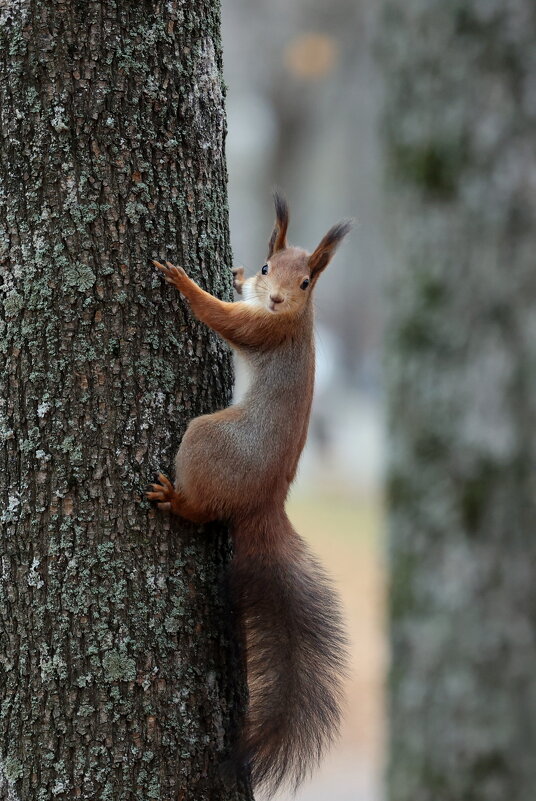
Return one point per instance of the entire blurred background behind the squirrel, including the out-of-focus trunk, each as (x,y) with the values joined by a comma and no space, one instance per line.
(418,119)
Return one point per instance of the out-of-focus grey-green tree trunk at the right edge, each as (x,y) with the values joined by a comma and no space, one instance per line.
(461,356)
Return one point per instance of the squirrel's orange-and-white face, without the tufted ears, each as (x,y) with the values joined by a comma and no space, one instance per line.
(283,284)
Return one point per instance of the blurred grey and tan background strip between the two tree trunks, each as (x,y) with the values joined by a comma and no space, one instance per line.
(302,104)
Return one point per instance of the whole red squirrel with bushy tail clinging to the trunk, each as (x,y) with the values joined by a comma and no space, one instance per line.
(237,465)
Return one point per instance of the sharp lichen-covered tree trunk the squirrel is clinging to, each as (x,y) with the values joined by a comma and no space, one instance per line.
(118,679)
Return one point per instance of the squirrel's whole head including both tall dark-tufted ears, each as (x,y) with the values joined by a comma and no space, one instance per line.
(284,284)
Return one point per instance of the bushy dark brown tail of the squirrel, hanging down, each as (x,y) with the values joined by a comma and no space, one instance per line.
(295,652)
